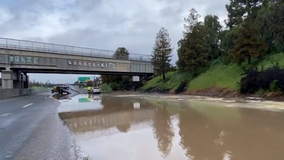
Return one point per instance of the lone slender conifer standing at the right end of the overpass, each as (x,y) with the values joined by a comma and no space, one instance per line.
(162,53)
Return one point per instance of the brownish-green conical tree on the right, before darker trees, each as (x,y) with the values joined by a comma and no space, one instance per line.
(248,44)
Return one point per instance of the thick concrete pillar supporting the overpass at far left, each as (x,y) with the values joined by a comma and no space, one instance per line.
(9,79)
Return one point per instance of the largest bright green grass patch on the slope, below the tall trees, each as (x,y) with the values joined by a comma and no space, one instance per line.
(223,76)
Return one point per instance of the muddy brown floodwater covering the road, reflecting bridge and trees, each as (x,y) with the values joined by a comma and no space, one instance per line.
(172,128)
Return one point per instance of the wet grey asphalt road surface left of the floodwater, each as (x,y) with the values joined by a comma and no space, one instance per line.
(31,129)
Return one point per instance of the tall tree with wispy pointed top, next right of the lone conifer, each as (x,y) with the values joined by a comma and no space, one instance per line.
(192,52)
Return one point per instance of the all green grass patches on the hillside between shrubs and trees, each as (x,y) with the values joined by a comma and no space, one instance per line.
(219,75)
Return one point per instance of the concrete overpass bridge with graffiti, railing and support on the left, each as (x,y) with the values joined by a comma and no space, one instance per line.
(19,57)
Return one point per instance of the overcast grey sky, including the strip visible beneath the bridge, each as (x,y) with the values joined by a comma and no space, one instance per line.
(103,24)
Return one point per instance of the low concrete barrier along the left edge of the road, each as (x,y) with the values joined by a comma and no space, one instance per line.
(10,93)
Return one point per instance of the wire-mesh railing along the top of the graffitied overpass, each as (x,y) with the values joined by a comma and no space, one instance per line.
(17,44)
